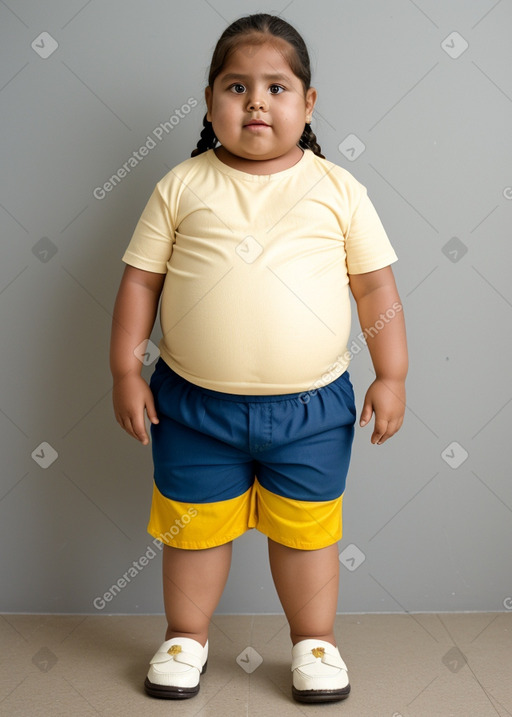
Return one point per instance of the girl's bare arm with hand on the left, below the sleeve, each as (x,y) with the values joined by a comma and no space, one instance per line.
(134,316)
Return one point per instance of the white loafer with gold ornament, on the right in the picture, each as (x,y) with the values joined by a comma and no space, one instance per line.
(319,673)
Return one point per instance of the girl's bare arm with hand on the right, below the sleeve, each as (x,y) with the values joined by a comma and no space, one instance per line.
(382,321)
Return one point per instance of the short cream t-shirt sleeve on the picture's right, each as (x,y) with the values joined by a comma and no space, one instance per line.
(367,245)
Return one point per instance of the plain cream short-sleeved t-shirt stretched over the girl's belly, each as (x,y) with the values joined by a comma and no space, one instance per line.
(256,295)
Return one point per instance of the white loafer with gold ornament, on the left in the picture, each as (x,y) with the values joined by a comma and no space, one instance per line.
(175,669)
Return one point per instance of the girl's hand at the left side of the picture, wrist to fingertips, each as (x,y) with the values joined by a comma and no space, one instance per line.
(131,395)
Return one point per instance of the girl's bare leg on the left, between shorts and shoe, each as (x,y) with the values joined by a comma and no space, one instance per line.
(193,584)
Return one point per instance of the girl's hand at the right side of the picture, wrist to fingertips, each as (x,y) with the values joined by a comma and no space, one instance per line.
(385,397)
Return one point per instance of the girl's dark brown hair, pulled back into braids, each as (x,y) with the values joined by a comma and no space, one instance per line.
(257,29)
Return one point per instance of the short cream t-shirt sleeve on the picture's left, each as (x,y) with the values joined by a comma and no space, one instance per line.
(150,247)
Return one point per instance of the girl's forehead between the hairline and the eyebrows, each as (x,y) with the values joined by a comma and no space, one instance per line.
(251,59)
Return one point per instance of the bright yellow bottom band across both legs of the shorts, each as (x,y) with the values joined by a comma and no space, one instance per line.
(304,525)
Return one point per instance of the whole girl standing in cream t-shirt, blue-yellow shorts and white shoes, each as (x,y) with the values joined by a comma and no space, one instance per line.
(253,244)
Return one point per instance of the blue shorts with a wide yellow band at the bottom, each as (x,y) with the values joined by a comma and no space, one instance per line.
(225,463)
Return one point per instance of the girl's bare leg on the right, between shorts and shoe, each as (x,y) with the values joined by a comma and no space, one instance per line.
(307,584)
